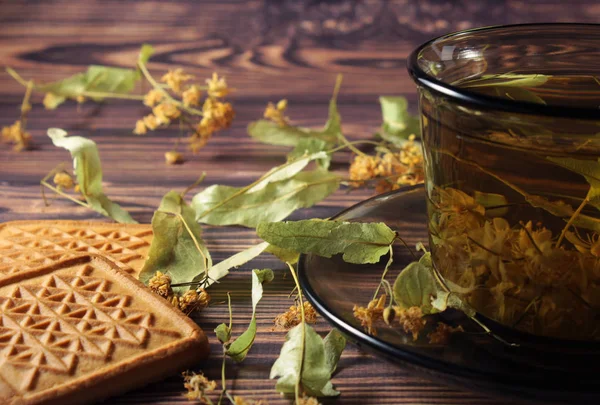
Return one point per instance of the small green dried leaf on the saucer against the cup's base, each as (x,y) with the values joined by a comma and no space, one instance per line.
(416,285)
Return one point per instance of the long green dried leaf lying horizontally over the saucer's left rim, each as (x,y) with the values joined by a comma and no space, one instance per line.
(358,242)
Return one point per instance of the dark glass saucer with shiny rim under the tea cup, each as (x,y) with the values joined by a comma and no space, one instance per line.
(558,373)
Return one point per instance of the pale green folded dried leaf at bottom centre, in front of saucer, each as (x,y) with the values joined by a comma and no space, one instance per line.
(310,359)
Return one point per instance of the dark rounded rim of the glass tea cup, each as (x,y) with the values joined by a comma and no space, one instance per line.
(490,102)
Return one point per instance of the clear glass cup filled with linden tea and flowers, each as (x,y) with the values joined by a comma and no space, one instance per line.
(510,120)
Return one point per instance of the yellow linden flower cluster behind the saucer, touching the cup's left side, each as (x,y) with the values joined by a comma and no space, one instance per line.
(391,169)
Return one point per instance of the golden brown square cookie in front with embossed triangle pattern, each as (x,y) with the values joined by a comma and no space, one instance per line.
(81,330)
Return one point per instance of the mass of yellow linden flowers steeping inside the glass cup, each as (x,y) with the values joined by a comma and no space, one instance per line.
(523,276)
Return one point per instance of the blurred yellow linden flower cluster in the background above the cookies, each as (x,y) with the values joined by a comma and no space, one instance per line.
(178,99)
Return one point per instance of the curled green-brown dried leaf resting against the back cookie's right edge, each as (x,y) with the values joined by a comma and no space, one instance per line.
(173,250)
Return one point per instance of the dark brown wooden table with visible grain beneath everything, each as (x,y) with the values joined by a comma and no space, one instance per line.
(268,50)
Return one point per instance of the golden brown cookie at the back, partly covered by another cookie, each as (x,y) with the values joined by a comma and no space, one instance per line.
(29,244)
